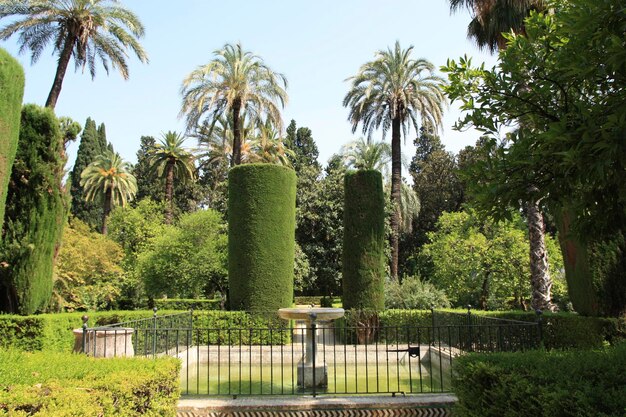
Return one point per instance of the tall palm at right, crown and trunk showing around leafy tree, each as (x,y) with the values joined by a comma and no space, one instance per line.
(492,18)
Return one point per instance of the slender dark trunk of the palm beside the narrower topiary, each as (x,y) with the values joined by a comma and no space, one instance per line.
(396,184)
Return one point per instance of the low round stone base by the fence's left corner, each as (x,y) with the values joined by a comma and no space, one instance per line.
(114,342)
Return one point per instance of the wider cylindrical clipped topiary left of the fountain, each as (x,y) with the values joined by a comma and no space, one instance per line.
(261,236)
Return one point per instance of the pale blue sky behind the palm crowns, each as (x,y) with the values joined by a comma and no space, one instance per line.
(315,44)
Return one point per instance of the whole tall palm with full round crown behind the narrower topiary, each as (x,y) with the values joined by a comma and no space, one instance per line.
(395,91)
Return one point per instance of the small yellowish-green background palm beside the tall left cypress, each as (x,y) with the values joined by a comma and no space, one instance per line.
(108,178)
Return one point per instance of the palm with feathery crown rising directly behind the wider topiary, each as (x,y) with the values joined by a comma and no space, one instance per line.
(235,81)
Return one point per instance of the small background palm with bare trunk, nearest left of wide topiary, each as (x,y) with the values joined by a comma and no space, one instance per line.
(170,160)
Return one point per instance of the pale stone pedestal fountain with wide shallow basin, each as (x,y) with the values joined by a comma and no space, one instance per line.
(312,372)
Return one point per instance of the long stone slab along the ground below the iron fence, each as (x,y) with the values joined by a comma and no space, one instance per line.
(324,406)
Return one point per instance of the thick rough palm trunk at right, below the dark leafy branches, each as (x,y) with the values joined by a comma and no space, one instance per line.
(541,282)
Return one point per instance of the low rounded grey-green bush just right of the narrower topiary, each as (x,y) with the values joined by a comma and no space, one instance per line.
(413,293)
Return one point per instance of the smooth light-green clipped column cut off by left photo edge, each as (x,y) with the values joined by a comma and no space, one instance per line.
(11,92)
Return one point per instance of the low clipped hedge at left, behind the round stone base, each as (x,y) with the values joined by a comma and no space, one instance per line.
(53,332)
